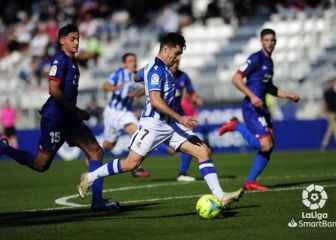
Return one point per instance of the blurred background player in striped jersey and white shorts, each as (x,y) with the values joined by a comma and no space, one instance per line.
(118,115)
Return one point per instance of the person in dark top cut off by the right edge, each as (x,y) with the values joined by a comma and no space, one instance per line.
(329,97)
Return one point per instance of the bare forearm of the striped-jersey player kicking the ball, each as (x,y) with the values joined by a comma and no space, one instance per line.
(159,104)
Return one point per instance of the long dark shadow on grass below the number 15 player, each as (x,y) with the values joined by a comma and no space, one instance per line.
(44,217)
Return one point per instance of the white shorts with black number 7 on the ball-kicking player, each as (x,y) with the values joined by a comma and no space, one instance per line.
(152,132)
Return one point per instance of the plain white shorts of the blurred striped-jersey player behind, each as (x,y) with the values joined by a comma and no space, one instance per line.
(115,121)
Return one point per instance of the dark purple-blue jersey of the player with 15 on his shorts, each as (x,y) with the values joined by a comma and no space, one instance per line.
(65,70)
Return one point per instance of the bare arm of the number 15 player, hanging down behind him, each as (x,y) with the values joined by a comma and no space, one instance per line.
(55,91)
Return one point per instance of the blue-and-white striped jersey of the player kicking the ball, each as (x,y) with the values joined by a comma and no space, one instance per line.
(158,77)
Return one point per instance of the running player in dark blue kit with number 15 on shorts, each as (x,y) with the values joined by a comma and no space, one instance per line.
(62,120)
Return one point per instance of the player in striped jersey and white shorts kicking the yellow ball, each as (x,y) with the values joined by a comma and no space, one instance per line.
(160,123)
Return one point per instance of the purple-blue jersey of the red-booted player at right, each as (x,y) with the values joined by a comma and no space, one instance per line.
(258,71)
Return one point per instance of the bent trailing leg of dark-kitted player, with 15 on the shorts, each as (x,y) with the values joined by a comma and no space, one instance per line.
(50,140)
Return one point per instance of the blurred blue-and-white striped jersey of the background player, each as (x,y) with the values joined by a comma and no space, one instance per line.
(120,99)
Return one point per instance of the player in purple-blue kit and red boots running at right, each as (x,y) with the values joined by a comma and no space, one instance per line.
(258,71)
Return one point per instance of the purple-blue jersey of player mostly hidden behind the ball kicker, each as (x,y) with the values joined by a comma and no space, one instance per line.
(182,82)
